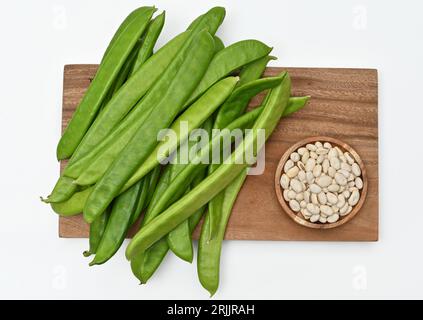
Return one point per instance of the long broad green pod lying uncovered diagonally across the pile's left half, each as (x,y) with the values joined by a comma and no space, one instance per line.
(195,61)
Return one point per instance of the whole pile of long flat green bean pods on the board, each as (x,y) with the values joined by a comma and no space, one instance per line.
(142,143)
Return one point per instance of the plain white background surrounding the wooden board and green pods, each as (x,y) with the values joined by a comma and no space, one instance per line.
(39,37)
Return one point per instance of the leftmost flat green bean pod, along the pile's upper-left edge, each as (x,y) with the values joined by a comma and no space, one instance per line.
(104,78)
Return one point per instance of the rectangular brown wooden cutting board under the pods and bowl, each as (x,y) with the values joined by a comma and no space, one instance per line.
(343,105)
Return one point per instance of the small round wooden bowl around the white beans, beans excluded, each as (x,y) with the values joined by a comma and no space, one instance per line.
(297,217)
